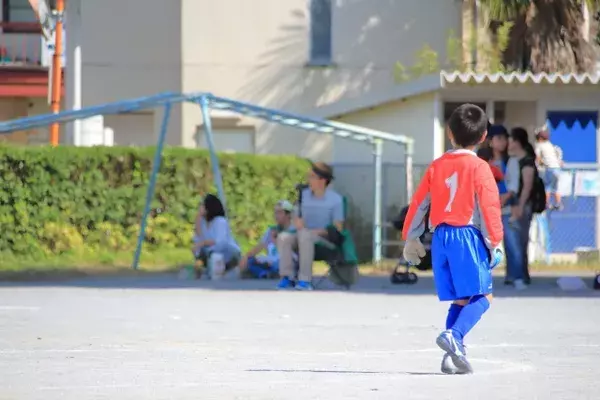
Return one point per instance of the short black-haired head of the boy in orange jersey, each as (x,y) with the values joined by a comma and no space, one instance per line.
(468,123)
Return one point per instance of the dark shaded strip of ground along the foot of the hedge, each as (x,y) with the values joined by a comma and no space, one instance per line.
(543,285)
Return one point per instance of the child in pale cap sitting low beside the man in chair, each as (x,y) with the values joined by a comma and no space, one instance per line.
(263,267)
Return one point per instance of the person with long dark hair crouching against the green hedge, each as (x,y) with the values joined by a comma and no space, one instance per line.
(213,233)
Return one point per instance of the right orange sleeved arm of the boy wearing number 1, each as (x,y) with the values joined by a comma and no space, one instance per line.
(486,192)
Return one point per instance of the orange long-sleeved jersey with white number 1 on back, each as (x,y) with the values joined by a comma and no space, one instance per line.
(458,189)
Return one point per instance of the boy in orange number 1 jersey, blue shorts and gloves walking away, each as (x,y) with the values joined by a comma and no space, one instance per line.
(461,194)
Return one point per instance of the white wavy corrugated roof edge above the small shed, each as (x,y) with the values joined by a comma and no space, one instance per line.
(518,78)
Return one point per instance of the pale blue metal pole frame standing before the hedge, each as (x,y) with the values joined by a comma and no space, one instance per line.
(208,102)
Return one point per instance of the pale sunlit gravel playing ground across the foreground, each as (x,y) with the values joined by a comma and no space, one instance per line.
(154,337)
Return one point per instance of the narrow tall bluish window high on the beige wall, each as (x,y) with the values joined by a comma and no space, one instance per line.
(320,32)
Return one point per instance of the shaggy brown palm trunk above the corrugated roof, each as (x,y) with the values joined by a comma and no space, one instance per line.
(547,35)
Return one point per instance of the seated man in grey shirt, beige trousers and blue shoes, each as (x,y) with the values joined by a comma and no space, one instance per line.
(320,207)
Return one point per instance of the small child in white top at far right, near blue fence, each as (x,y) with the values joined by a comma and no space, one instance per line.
(549,161)
